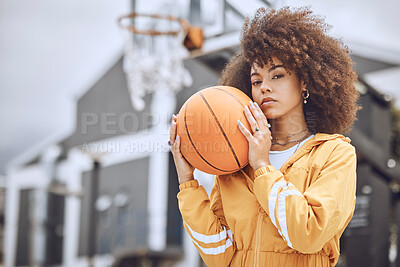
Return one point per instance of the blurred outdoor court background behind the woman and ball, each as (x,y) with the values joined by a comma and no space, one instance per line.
(86,176)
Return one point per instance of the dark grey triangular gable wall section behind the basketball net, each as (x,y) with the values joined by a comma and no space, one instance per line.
(106,111)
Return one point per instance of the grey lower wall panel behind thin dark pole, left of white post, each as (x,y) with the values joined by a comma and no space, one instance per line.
(124,227)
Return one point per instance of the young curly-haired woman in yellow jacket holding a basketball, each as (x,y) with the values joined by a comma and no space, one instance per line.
(291,204)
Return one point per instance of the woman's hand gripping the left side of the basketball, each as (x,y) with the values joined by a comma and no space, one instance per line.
(183,168)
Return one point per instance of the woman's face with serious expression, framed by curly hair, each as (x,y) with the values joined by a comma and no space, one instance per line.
(277,92)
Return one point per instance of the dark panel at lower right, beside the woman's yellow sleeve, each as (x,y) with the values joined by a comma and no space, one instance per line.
(366,240)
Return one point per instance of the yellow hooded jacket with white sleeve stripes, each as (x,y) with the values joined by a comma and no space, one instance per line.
(291,217)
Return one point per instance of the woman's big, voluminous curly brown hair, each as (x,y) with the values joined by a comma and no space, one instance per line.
(299,39)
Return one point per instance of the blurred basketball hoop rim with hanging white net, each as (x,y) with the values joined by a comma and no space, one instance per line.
(153,55)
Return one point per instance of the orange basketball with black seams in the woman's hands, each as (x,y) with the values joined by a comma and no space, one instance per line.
(207,126)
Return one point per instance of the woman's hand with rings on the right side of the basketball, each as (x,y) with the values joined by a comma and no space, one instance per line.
(259,141)
